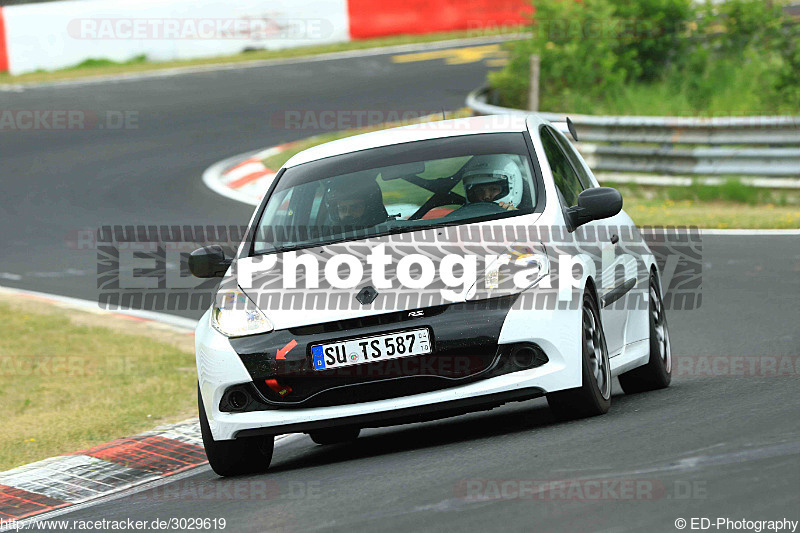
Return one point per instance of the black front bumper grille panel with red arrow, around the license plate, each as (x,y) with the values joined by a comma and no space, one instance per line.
(464,348)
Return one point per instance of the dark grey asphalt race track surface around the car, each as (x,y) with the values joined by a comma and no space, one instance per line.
(709,446)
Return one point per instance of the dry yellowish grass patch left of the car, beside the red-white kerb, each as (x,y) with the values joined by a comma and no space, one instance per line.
(65,387)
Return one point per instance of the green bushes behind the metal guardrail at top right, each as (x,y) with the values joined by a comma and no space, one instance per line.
(657,57)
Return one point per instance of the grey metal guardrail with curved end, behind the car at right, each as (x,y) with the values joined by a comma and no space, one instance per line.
(777,141)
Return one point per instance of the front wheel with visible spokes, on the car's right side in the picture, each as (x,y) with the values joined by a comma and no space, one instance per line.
(593,397)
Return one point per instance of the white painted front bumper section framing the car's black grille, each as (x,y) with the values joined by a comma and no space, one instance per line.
(220,367)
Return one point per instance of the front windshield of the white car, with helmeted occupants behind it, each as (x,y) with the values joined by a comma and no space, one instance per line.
(398,188)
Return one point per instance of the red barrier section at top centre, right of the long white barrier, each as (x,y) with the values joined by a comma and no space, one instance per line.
(369,18)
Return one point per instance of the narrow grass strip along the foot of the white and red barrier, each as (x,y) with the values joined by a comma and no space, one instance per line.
(104,67)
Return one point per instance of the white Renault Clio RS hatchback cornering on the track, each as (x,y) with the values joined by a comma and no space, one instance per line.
(424,272)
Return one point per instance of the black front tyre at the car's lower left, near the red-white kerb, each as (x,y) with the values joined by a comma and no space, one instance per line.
(236,457)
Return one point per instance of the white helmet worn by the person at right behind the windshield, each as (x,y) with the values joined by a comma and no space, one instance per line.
(496,168)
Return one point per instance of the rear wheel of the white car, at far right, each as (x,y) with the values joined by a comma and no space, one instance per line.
(657,373)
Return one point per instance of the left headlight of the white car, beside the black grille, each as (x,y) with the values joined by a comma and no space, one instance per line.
(235,315)
